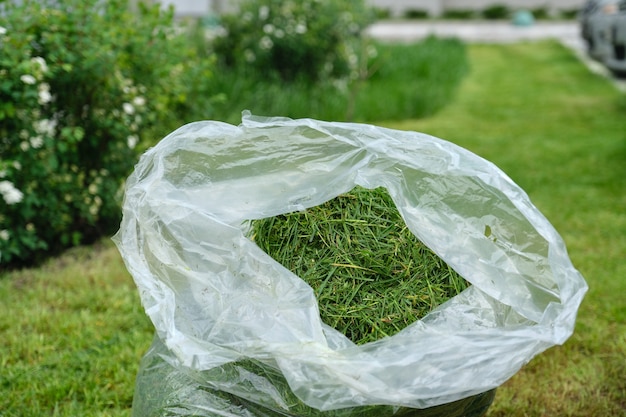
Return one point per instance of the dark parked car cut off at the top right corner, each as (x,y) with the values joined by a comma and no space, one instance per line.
(603,27)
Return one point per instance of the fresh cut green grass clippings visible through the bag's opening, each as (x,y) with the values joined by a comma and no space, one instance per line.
(372,277)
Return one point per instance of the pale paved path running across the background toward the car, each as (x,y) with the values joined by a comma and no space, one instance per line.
(490,32)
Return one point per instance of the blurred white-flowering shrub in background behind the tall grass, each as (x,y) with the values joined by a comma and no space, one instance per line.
(309,40)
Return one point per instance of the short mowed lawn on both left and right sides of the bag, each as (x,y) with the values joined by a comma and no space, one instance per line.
(72,332)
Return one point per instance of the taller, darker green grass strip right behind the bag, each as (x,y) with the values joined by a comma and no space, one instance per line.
(420,77)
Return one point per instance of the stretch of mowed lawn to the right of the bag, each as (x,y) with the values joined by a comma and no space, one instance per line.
(559,131)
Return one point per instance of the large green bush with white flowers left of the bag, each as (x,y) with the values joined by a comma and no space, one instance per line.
(81,82)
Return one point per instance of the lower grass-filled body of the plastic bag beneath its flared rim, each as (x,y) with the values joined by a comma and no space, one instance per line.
(257,390)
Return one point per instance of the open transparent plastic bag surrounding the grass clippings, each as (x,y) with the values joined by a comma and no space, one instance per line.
(247,331)
